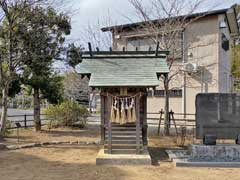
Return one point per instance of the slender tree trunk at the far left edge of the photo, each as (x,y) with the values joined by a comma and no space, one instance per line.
(4,110)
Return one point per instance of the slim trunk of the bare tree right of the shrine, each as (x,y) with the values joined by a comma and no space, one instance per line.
(166,107)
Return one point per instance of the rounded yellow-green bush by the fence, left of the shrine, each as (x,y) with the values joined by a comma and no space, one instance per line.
(67,113)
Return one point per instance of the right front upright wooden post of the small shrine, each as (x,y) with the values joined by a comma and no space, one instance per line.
(138,124)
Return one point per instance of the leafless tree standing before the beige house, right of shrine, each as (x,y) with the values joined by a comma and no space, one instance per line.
(172,18)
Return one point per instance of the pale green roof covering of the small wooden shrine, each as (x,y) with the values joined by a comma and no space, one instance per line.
(133,72)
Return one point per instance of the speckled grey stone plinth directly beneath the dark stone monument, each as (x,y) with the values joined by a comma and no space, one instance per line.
(219,151)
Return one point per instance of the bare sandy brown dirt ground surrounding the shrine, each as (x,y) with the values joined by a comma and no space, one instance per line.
(72,162)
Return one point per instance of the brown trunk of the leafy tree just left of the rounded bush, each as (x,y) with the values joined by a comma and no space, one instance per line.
(36,111)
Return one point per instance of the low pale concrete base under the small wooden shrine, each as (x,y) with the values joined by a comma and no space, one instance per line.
(123,159)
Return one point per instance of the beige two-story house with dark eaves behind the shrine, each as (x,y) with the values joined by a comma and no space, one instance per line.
(204,64)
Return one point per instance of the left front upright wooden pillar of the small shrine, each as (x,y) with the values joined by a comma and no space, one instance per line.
(109,102)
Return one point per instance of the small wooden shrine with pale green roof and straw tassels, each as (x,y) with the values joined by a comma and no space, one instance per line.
(123,79)
